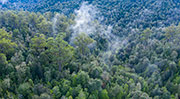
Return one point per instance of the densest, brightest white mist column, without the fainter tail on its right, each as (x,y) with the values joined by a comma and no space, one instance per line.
(84,20)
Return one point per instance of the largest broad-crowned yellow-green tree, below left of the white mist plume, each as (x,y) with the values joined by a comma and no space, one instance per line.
(62,52)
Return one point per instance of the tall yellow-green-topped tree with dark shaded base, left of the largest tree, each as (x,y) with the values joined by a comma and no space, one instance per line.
(37,47)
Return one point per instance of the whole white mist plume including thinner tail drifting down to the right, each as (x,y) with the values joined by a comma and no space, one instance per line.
(88,21)
